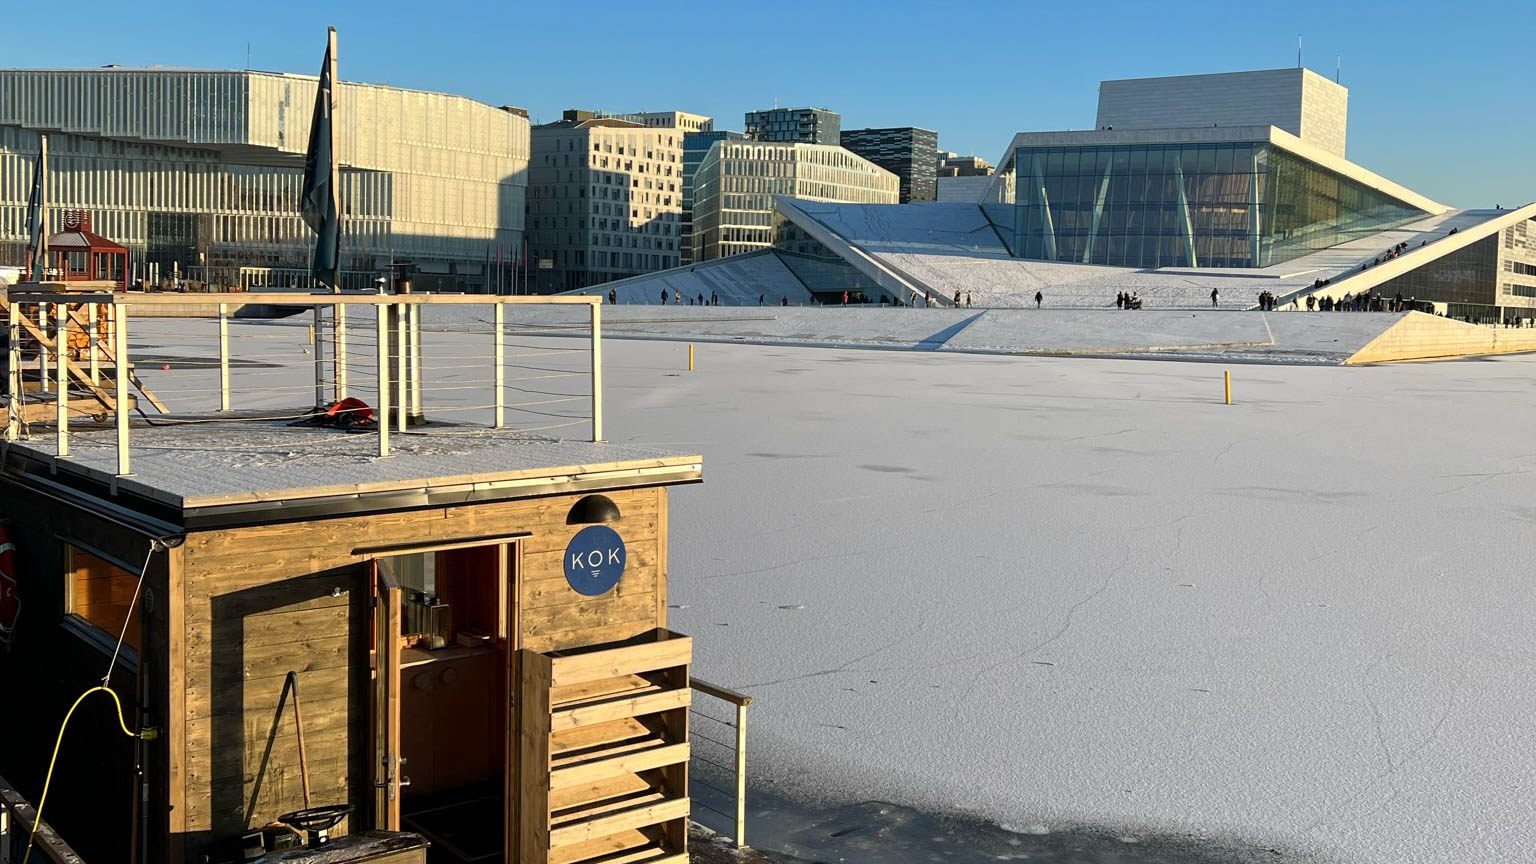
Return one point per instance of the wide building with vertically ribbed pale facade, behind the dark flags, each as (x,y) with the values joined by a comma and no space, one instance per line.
(200,171)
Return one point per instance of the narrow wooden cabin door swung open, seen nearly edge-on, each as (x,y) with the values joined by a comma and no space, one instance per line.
(386,703)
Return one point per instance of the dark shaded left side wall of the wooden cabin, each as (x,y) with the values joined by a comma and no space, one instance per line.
(53,662)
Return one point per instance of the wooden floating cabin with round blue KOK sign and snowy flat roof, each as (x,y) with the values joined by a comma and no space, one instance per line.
(471,634)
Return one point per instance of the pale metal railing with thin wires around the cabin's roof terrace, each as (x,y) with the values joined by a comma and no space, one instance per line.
(196,359)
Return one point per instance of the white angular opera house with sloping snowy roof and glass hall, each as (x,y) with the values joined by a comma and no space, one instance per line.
(1214,213)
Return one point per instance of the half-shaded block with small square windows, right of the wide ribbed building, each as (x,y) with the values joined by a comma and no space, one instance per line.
(604,202)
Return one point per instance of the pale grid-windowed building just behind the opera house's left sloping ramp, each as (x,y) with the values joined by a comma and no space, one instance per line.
(738,181)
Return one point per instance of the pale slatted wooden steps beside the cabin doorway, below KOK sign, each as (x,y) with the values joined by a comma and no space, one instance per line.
(604,769)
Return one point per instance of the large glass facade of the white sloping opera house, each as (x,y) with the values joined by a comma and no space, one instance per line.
(1211,205)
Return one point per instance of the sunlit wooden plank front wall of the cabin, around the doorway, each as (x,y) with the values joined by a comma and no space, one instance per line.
(259,603)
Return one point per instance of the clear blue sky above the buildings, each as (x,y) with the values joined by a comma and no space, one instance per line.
(1440,93)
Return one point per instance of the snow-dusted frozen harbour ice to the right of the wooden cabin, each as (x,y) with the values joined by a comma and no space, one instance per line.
(1058,593)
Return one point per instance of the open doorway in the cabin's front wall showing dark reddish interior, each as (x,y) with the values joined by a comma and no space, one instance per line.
(443,702)
